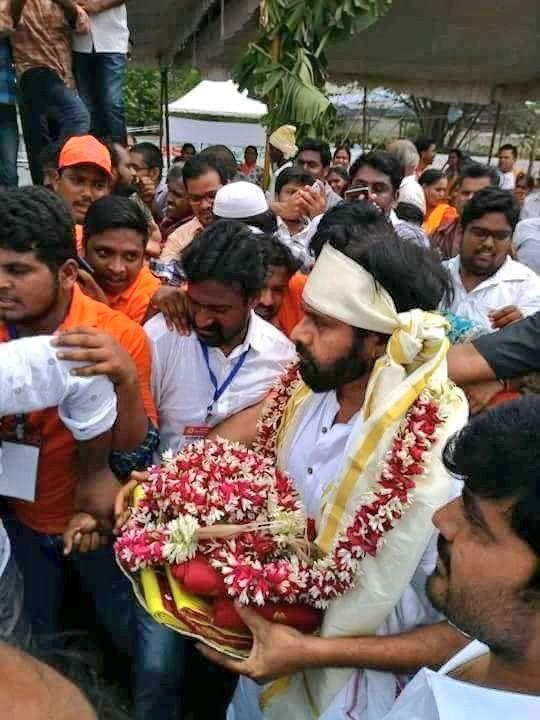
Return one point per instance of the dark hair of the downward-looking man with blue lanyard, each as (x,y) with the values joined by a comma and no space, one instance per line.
(229,253)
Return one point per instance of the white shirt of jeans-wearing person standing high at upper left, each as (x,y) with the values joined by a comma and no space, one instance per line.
(108,33)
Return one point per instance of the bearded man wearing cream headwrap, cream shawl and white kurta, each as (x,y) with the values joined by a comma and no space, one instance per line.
(370,357)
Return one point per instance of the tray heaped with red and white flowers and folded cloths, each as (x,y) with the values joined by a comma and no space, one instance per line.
(216,522)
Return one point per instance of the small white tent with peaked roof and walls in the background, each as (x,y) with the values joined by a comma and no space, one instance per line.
(217,113)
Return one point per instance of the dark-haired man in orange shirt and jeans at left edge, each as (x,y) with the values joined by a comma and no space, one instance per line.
(39,295)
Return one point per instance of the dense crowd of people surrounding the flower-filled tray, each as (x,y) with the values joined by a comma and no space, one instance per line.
(139,313)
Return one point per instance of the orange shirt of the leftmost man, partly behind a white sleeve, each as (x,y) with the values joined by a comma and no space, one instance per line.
(57,470)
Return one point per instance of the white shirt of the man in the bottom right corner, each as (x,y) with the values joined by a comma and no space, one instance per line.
(435,696)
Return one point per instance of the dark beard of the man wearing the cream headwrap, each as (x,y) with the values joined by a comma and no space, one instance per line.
(348,368)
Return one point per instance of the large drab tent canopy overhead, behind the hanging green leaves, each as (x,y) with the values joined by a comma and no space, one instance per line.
(456,50)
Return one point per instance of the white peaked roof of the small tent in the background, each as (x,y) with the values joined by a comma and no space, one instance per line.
(218,99)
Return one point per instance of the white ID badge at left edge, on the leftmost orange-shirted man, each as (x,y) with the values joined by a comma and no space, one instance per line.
(19,467)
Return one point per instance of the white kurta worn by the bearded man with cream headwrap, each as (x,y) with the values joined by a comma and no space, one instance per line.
(320,447)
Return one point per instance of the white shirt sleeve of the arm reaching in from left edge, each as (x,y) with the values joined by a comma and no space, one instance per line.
(32,378)
